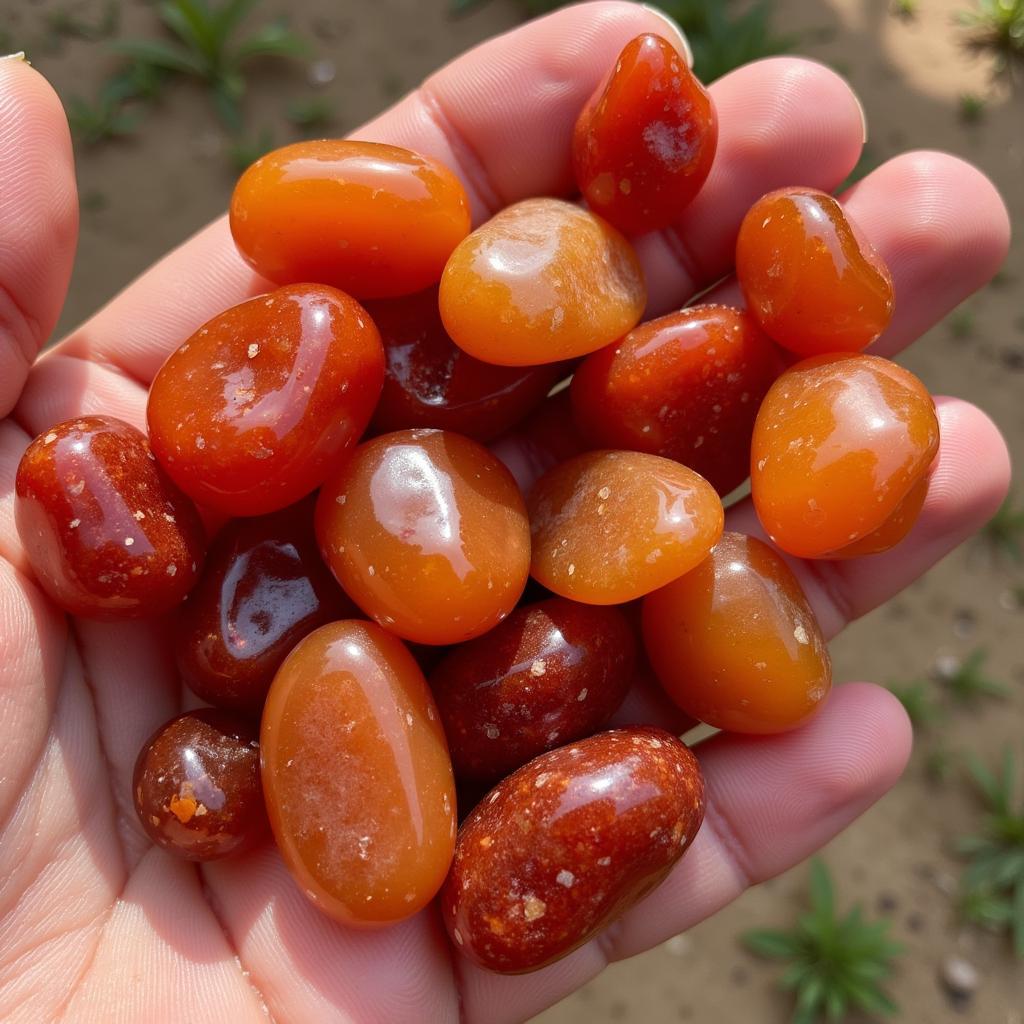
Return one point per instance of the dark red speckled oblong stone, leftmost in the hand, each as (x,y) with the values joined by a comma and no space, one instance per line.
(108,535)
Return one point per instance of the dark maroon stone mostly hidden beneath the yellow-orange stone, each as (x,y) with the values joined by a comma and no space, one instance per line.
(431,382)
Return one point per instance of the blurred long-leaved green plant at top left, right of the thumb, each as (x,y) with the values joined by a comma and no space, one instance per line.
(209,48)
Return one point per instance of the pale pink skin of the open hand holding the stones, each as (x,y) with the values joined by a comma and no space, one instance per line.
(142,937)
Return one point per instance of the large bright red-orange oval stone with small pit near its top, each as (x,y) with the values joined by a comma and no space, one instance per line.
(259,406)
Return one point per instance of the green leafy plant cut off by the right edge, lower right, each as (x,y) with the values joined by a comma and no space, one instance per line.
(993,884)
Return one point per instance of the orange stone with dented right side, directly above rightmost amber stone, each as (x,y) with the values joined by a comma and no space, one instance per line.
(810,279)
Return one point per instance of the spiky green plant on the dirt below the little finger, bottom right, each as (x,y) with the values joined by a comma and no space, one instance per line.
(837,964)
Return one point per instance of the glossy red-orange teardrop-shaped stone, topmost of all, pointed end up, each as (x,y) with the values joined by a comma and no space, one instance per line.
(645,144)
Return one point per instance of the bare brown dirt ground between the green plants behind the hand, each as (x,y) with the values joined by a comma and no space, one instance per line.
(144,196)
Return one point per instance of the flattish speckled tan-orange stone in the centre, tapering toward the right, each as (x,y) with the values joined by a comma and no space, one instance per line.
(611,527)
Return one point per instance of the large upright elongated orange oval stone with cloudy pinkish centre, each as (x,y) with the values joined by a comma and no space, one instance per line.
(357,775)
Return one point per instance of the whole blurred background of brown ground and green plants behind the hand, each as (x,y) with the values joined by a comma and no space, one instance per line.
(169,102)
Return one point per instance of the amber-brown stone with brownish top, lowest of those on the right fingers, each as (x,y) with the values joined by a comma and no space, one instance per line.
(736,644)
